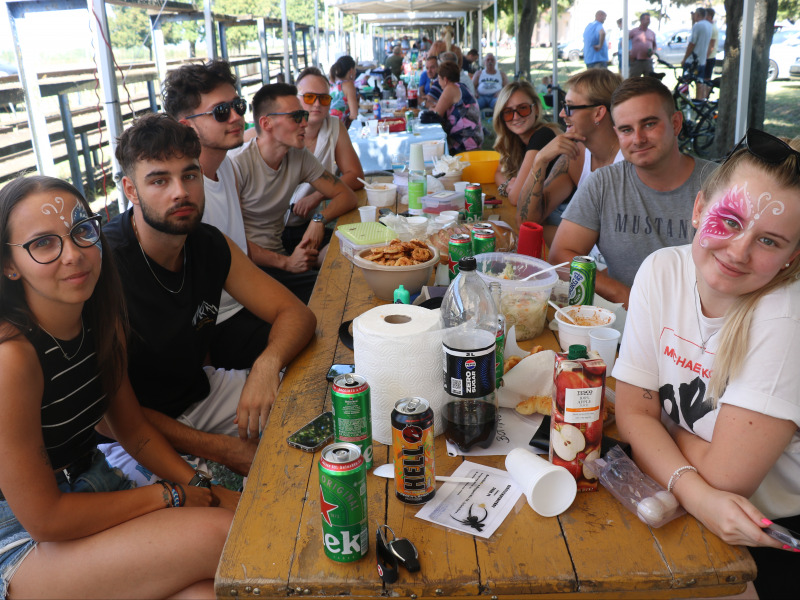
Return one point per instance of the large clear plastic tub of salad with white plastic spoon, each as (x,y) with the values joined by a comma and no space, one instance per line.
(523,303)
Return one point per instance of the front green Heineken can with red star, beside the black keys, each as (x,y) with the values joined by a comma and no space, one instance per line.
(343,502)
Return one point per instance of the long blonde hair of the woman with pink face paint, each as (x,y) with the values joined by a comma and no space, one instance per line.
(736,328)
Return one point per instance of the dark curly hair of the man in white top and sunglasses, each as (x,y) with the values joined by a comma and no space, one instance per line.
(183,86)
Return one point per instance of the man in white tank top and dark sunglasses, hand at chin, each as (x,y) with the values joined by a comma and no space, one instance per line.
(588,144)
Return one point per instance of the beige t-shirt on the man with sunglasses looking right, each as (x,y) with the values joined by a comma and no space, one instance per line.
(265,192)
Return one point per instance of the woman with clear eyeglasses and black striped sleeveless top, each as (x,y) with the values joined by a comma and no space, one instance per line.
(69,525)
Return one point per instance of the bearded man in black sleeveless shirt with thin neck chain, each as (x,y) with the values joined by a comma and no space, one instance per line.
(173,270)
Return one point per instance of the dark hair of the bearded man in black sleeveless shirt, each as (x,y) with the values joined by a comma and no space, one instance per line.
(155,136)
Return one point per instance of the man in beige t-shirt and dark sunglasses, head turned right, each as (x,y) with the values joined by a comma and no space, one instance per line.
(269,168)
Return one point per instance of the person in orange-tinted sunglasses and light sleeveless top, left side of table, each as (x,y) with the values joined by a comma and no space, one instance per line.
(327,139)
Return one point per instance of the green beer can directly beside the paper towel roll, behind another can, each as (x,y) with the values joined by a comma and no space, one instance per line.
(352,420)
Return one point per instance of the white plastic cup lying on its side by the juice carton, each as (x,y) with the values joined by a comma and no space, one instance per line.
(549,489)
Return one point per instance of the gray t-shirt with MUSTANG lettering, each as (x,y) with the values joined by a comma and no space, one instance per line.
(633,220)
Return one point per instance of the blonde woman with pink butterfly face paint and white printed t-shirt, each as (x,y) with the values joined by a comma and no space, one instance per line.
(708,377)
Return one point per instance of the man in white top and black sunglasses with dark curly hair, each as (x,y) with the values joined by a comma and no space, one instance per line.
(204,97)
